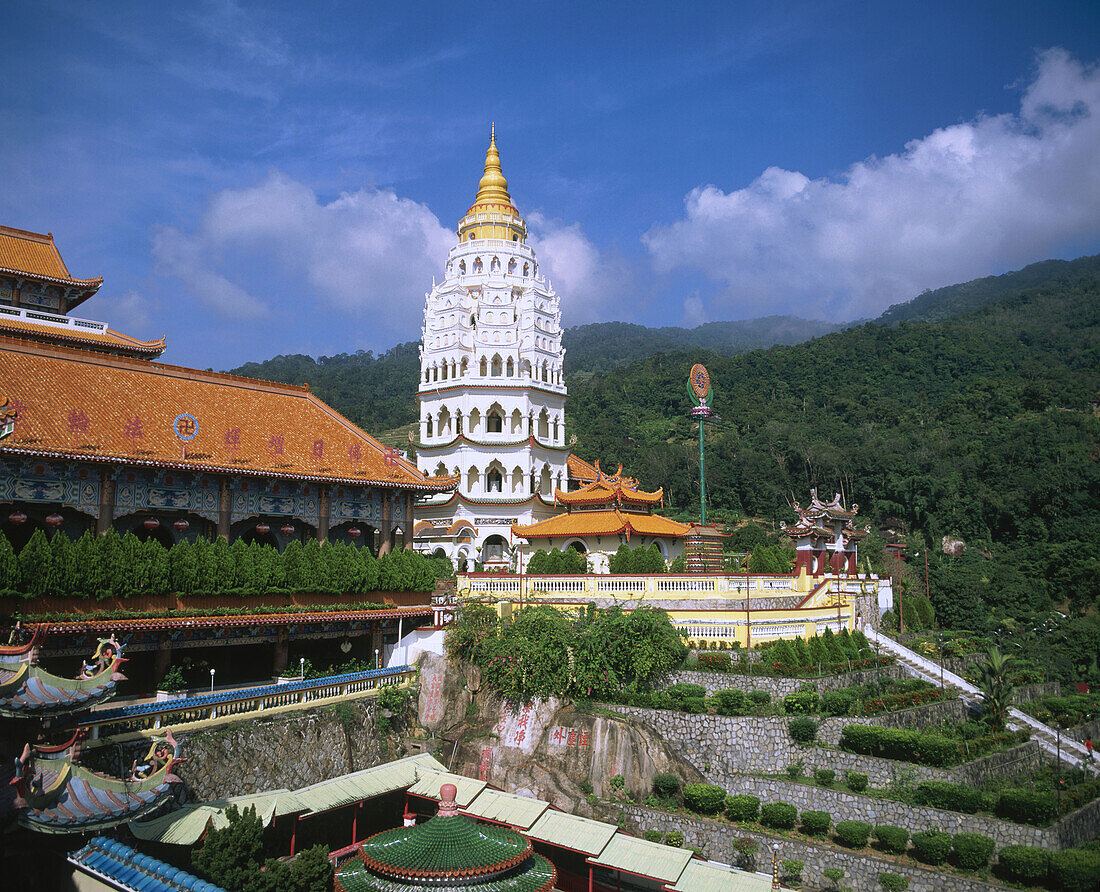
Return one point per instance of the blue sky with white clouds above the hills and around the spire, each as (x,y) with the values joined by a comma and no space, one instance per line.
(263,179)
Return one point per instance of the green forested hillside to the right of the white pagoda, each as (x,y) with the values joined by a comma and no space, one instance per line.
(983,427)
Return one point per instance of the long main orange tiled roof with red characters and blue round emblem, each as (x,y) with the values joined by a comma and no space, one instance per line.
(81,404)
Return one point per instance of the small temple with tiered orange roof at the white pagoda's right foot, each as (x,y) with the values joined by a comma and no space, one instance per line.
(607,512)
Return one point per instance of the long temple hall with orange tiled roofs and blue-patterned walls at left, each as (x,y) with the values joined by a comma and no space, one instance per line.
(98,437)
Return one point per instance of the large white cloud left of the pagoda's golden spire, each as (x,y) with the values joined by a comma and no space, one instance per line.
(367,254)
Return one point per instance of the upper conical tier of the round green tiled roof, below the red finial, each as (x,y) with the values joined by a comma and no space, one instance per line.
(445,845)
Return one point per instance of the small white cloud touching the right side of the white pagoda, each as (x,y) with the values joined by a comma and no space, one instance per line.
(593,285)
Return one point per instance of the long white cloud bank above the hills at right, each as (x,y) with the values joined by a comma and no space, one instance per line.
(964,202)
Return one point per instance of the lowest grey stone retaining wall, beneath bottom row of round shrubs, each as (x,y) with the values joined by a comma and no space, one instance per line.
(862,869)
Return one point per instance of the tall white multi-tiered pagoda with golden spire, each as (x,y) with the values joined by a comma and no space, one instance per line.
(492,394)
